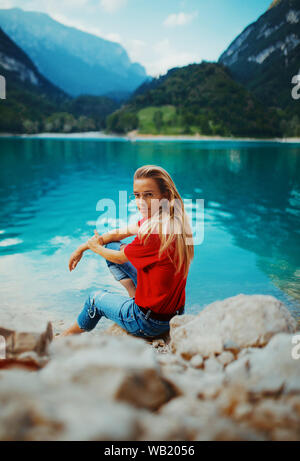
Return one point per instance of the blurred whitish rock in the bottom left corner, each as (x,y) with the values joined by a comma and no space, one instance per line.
(30,410)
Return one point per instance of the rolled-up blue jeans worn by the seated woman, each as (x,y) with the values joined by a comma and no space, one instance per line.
(121,309)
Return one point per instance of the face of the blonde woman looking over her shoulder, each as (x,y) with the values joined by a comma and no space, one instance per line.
(144,190)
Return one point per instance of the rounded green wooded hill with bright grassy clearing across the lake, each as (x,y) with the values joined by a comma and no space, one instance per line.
(201,98)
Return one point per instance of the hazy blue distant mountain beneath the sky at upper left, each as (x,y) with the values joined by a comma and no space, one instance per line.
(75,61)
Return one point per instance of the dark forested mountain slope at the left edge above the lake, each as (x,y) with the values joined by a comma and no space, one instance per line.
(34,104)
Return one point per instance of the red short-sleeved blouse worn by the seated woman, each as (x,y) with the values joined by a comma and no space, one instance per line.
(158,288)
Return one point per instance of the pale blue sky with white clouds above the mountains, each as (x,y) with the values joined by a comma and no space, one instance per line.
(158,34)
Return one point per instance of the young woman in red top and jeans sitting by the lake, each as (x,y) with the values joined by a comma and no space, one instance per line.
(153,267)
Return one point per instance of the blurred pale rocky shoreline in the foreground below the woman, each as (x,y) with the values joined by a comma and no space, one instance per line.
(230,372)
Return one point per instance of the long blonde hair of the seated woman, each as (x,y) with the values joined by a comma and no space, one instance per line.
(171,225)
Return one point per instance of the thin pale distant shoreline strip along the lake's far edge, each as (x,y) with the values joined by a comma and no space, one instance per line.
(133,136)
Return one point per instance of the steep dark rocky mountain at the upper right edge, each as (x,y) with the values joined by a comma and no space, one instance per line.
(266,55)
